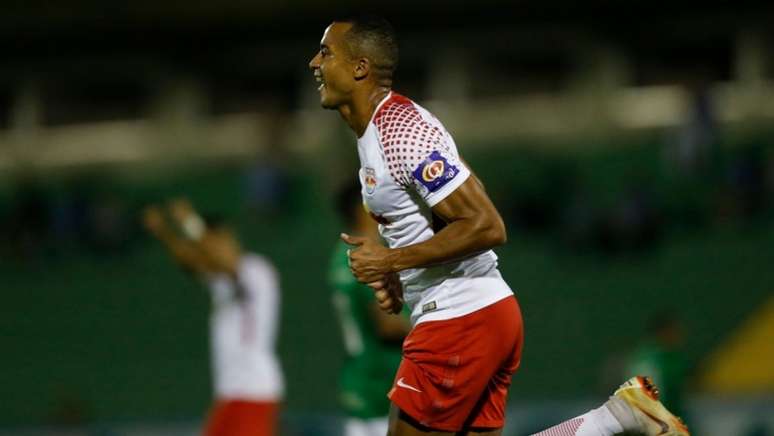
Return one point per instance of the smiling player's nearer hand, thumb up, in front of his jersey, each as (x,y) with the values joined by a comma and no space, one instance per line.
(369,260)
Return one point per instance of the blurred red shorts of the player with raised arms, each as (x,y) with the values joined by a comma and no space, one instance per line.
(242,418)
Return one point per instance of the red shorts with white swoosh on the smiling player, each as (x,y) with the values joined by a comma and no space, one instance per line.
(455,373)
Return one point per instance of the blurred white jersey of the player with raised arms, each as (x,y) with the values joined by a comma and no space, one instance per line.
(243,330)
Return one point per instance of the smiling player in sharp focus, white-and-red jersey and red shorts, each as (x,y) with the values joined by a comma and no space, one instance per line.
(467,332)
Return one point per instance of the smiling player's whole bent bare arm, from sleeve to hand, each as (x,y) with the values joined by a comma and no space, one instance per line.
(473,226)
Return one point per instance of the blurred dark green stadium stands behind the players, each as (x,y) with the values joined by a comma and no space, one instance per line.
(629,146)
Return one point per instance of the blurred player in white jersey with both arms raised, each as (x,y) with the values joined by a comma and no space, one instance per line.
(243,325)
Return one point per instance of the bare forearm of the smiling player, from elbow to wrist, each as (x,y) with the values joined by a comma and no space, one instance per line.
(458,240)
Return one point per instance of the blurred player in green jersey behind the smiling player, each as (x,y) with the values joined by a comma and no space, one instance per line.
(372,337)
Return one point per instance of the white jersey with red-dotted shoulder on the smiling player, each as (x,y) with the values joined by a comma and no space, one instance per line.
(408,164)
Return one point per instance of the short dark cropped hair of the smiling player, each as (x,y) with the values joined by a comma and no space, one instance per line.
(373,37)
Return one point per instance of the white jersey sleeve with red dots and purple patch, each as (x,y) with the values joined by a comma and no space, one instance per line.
(419,154)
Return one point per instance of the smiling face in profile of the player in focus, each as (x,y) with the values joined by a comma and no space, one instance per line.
(333,68)
